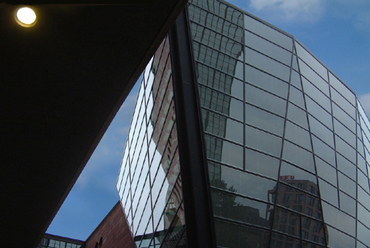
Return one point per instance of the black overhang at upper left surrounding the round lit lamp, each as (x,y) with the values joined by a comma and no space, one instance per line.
(62,82)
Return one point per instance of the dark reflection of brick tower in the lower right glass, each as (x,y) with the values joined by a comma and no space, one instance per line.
(305,221)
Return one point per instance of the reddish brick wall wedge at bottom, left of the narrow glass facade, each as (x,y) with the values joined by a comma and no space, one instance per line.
(113,230)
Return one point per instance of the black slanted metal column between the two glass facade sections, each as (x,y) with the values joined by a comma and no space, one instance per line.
(194,170)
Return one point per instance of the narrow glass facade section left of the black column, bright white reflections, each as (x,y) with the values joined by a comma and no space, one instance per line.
(149,182)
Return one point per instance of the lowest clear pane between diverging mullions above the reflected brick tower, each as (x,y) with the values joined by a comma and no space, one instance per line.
(298,156)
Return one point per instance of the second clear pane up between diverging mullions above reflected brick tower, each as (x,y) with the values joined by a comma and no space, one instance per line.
(297,135)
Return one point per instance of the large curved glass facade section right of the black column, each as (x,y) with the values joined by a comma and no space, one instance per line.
(287,142)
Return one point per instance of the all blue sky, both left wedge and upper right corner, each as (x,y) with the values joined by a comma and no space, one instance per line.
(337,32)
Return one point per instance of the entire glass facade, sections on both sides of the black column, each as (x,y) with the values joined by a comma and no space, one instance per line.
(286,141)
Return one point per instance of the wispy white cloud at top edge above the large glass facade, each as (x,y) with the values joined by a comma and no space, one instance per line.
(291,10)
